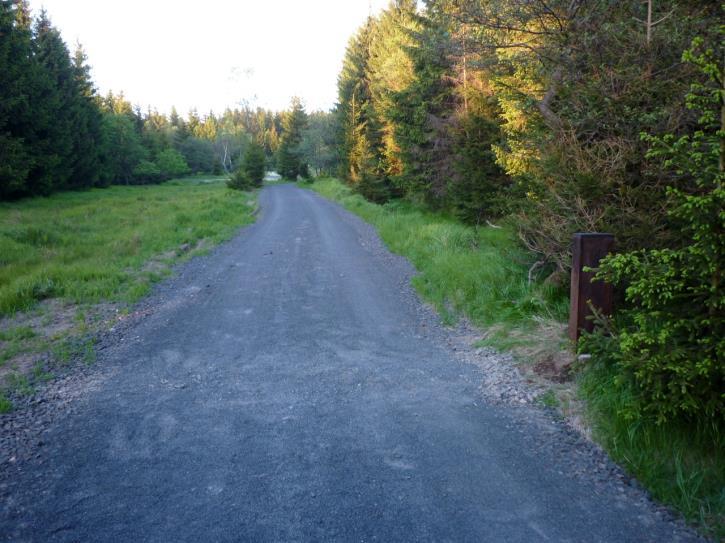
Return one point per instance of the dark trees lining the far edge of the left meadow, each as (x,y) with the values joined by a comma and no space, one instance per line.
(57,133)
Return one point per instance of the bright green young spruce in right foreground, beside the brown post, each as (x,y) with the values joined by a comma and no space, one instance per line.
(671,336)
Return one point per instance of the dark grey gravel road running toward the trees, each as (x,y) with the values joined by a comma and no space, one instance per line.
(291,387)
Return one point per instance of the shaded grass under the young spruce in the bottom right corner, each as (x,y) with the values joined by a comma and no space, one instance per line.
(681,464)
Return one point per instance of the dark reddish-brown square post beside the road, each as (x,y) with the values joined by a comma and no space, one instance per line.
(588,250)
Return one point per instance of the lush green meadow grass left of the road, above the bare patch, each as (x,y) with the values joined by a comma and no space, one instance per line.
(85,247)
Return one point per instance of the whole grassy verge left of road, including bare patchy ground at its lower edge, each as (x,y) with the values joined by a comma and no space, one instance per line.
(69,260)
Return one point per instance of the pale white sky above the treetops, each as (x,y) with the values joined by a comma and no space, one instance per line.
(211,54)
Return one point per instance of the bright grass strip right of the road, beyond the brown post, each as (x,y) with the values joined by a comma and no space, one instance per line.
(477,272)
